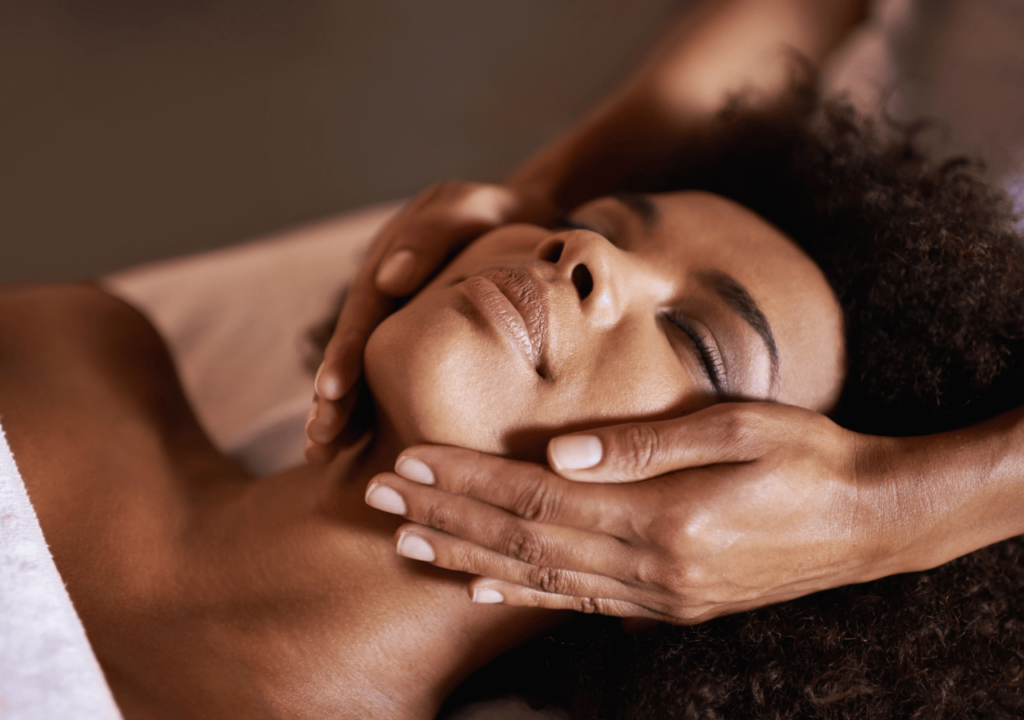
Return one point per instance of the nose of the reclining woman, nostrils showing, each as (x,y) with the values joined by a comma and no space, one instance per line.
(588,263)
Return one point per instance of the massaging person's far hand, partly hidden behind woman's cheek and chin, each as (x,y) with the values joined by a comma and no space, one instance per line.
(406,253)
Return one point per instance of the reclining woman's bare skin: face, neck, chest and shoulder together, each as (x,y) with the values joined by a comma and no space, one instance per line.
(281,597)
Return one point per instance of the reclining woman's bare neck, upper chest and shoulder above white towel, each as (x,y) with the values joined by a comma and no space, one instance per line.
(207,594)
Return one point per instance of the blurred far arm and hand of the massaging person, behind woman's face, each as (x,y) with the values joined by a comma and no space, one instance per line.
(713,51)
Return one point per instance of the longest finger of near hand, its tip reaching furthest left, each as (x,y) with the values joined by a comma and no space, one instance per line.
(478,527)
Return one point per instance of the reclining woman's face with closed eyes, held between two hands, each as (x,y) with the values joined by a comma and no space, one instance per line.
(649,308)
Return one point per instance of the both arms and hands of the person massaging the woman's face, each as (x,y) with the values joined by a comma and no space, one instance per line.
(903,504)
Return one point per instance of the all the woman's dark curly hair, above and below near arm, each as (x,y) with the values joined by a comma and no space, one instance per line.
(930,275)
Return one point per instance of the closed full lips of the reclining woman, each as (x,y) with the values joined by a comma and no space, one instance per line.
(517,305)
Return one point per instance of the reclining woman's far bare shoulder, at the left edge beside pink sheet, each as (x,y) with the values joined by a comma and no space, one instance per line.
(90,398)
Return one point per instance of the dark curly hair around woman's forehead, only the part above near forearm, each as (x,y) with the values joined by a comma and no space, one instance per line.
(923,259)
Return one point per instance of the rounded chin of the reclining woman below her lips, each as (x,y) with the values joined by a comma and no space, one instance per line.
(435,383)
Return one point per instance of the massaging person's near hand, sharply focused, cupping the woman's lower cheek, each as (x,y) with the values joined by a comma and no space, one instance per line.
(740,506)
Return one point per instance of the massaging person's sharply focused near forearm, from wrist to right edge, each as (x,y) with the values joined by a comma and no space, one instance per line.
(950,495)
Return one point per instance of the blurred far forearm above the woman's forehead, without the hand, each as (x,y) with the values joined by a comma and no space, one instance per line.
(712,52)
